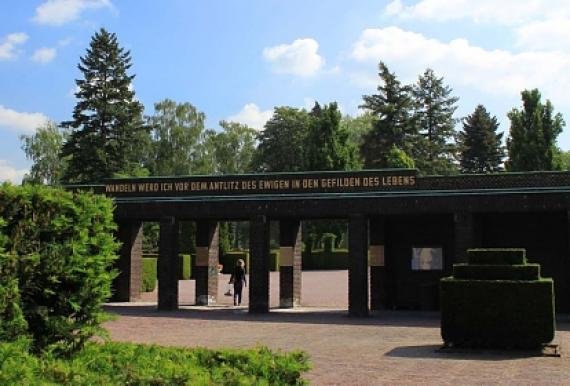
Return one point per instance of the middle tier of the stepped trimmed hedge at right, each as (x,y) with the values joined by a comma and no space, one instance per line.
(497,272)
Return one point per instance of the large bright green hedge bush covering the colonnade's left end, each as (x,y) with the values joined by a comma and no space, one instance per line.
(61,250)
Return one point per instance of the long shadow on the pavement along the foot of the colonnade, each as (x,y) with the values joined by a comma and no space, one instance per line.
(303,315)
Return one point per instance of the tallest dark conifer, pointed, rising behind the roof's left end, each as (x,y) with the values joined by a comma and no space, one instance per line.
(108,133)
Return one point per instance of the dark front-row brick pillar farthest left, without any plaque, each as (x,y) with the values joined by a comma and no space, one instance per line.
(168,265)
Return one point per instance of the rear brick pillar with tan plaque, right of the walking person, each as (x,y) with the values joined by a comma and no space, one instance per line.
(289,263)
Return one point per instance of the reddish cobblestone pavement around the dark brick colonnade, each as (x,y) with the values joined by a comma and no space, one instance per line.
(387,348)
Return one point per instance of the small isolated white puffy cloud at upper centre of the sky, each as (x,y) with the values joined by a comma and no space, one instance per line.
(298,58)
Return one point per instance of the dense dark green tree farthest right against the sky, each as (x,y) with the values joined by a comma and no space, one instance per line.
(534,129)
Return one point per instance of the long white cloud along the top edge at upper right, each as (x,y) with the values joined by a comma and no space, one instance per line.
(505,12)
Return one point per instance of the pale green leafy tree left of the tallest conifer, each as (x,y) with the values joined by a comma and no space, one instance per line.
(43,149)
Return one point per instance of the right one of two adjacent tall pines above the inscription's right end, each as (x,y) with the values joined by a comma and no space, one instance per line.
(435,150)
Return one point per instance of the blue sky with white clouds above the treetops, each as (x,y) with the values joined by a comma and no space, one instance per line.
(237,60)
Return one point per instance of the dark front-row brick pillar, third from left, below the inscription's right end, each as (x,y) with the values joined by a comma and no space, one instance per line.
(358,265)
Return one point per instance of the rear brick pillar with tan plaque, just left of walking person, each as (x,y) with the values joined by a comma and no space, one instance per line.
(207,258)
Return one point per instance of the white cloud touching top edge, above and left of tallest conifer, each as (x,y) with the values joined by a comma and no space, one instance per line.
(59,12)
